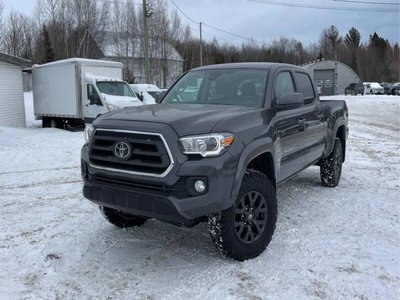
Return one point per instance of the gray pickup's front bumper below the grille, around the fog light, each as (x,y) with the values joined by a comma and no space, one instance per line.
(168,198)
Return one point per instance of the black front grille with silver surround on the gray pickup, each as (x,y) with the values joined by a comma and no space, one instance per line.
(150,153)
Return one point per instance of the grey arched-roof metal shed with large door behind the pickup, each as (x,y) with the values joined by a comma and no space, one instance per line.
(330,76)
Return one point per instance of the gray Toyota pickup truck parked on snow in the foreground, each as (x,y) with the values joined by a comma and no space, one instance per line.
(213,151)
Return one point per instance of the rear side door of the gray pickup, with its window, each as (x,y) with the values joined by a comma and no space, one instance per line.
(314,116)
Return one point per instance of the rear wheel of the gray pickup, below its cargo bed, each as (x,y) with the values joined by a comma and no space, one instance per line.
(331,167)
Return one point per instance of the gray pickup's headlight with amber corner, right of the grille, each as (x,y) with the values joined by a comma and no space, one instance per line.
(206,145)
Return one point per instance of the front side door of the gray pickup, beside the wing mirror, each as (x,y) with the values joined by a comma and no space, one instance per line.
(290,129)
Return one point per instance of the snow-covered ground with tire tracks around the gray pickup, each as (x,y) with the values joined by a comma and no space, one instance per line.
(340,243)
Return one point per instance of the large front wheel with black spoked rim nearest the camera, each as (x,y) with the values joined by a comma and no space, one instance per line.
(244,230)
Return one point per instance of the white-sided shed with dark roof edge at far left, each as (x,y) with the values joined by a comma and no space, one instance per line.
(12,108)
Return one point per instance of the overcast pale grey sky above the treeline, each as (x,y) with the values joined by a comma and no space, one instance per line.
(264,22)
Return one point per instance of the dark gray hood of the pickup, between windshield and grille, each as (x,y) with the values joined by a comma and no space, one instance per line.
(185,119)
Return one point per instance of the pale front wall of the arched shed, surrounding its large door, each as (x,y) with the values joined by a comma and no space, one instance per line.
(343,74)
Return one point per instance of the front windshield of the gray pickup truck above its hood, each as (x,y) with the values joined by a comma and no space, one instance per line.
(224,87)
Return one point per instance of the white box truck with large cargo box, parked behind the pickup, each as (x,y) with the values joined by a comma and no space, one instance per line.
(75,91)
